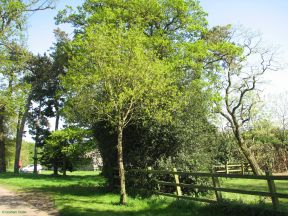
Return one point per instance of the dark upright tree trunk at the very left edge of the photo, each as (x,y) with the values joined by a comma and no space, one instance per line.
(2,142)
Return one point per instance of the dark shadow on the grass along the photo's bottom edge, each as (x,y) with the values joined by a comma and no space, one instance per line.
(179,208)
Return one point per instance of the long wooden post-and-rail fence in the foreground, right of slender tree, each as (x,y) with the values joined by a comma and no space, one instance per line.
(272,193)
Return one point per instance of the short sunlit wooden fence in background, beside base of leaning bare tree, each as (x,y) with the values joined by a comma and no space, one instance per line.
(243,168)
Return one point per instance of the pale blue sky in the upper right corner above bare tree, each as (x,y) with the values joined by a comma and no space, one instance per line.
(266,16)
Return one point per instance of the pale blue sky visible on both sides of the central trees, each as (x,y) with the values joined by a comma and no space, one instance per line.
(265,16)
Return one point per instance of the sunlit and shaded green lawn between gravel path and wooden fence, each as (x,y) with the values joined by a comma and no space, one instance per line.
(84,193)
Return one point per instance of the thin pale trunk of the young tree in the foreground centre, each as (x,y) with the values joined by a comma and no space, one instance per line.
(123,195)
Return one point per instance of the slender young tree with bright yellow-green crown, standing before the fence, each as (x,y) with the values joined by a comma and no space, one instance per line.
(118,84)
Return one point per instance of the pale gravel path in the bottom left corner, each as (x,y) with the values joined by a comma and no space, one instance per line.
(14,204)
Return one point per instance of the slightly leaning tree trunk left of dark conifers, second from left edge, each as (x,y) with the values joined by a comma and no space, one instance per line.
(19,135)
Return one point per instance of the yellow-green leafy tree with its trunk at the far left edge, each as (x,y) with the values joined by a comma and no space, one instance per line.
(11,92)
